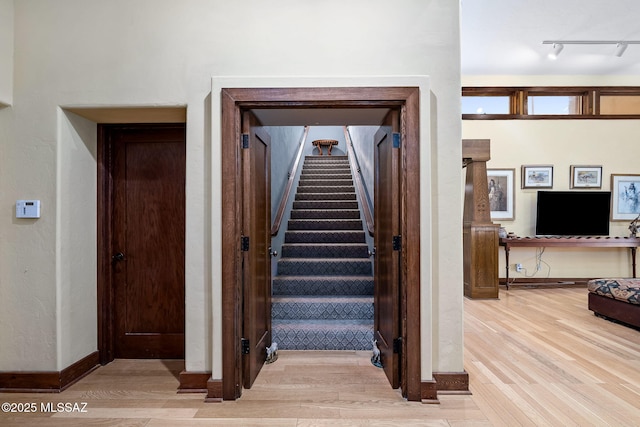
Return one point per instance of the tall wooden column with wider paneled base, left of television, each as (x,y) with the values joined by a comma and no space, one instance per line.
(479,235)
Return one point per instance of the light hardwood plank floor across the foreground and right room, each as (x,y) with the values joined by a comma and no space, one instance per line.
(535,357)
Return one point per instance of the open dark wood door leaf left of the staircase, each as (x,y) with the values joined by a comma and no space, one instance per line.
(256,235)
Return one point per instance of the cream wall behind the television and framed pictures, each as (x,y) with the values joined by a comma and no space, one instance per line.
(561,143)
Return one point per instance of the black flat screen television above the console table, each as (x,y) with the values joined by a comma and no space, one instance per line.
(573,213)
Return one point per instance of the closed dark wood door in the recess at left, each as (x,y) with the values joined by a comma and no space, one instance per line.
(148,240)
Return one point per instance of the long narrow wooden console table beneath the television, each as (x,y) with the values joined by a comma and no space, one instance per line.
(584,241)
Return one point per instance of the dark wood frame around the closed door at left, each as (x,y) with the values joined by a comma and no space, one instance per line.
(105,291)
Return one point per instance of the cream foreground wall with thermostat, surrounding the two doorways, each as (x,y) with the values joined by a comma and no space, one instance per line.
(83,53)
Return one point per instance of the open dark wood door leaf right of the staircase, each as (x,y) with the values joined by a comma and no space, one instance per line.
(387,241)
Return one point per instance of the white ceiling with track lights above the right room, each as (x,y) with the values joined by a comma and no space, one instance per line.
(502,37)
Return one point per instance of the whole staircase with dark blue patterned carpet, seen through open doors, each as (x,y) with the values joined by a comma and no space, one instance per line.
(323,290)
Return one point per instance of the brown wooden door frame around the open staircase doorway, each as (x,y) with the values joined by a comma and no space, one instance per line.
(233,103)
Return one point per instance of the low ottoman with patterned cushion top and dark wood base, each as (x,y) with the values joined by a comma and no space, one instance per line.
(616,299)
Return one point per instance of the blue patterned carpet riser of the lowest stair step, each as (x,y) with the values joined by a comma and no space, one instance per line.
(327,335)
